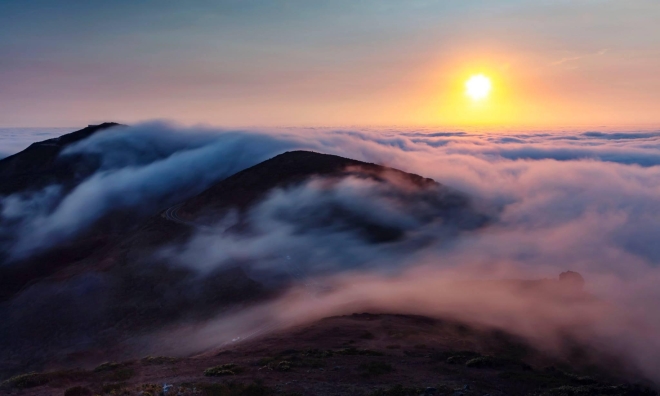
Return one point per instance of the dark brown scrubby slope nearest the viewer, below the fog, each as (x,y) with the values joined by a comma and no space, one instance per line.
(360,354)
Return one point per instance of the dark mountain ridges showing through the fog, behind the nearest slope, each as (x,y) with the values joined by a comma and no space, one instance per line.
(129,288)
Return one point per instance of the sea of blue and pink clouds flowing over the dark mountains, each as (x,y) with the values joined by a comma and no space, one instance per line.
(587,201)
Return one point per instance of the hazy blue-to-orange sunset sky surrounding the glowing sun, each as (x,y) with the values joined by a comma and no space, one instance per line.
(324,63)
